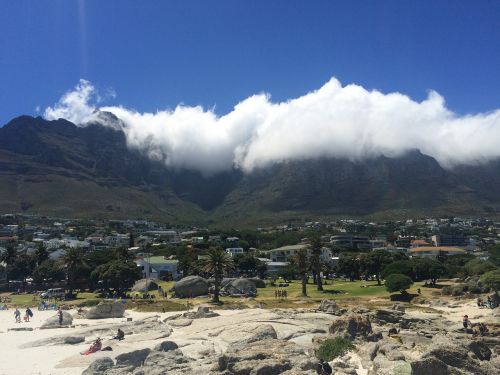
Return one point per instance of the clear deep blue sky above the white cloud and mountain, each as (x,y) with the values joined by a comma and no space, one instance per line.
(156,54)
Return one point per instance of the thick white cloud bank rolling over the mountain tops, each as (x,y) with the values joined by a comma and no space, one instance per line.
(333,121)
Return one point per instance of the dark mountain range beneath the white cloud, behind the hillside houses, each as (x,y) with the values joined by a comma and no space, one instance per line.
(58,168)
